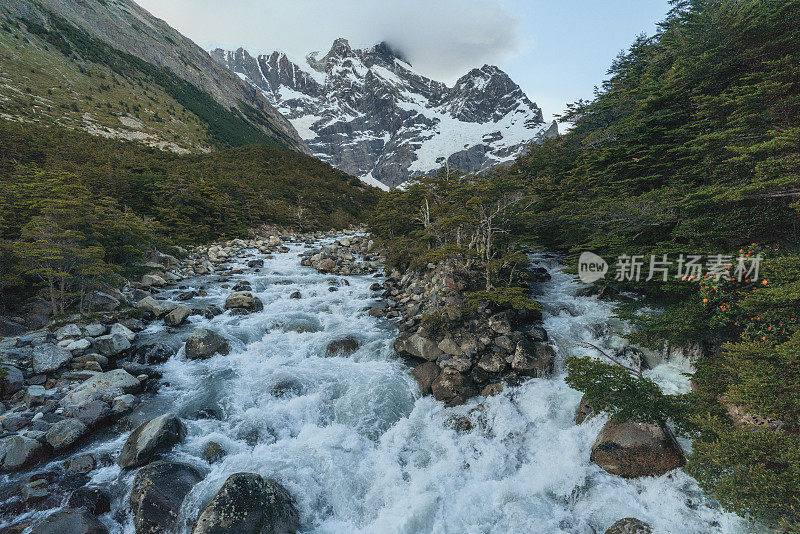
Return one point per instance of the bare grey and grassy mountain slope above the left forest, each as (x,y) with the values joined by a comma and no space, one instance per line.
(88,63)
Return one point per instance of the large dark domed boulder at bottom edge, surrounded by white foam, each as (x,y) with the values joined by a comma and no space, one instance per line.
(248,504)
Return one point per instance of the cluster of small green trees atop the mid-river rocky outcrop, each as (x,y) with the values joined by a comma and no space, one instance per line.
(476,221)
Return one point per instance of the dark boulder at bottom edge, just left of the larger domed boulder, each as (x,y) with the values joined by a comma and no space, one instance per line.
(159,490)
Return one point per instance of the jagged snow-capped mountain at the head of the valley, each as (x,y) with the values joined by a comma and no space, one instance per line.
(367,112)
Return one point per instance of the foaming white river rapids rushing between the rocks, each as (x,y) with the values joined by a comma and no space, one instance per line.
(361,451)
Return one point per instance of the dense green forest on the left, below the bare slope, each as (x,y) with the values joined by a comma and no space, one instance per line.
(77,208)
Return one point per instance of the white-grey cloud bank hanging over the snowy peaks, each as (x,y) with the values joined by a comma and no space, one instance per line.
(442,38)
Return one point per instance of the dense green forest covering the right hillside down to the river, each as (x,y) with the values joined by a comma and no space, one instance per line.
(692,146)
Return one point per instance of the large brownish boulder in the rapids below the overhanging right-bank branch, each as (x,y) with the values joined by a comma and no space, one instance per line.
(633,449)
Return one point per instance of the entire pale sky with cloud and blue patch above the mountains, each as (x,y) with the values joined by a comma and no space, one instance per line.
(557,50)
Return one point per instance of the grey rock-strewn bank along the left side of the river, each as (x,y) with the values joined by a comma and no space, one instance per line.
(66,382)
